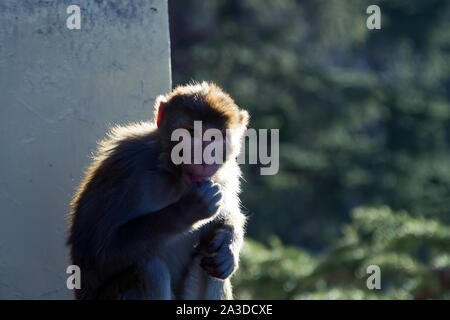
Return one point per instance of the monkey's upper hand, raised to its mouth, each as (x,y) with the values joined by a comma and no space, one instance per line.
(202,201)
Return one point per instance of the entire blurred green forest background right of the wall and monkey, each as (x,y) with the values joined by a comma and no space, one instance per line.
(364,119)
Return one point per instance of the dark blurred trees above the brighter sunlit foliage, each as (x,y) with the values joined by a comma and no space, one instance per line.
(364,115)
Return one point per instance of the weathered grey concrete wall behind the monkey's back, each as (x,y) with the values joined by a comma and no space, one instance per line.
(59,91)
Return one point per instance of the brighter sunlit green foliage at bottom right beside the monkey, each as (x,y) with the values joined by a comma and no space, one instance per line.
(412,253)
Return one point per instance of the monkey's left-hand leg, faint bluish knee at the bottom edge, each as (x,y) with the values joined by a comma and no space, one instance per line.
(157,280)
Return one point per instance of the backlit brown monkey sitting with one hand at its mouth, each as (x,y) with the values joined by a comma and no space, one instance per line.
(143,227)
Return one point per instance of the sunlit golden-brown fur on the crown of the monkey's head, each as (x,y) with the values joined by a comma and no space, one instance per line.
(201,101)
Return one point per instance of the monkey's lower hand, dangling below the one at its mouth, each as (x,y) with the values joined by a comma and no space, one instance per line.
(221,259)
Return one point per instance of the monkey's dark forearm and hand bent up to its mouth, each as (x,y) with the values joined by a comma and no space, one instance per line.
(144,235)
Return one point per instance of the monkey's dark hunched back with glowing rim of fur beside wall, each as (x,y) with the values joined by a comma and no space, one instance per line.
(99,201)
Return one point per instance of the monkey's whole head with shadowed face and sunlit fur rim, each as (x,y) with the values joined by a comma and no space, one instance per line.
(186,107)
